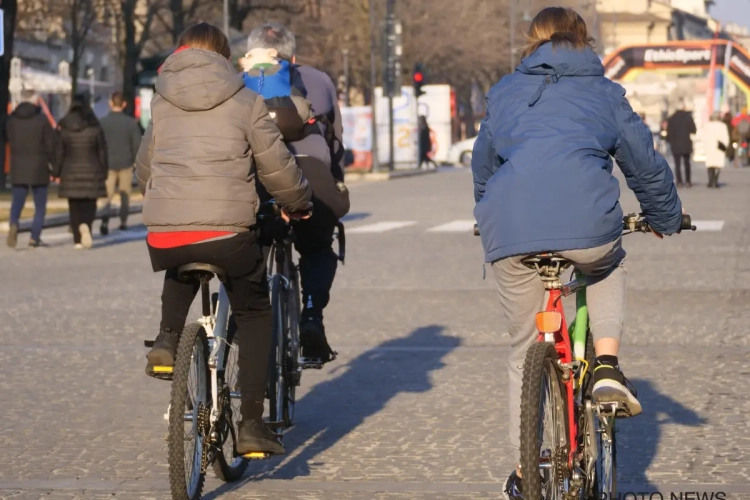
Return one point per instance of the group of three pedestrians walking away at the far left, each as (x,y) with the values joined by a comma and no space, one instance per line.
(90,159)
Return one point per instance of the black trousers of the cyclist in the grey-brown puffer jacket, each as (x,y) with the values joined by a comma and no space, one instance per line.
(241,256)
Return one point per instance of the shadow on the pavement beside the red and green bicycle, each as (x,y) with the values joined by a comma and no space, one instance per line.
(638,438)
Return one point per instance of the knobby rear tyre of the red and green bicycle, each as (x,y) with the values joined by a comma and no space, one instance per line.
(540,369)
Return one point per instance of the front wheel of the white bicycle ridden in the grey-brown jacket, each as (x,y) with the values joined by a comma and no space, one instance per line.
(225,469)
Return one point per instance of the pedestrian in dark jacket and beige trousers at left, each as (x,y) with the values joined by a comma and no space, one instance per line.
(123,137)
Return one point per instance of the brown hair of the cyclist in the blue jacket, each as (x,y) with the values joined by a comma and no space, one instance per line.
(559,25)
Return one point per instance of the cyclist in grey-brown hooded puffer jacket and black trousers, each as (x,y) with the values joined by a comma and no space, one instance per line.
(210,138)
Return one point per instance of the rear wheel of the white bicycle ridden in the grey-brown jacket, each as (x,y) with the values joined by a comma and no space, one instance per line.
(192,350)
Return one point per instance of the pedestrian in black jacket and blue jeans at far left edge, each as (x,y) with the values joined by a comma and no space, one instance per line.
(32,146)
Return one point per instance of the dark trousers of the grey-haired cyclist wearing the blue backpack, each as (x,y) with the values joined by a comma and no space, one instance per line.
(317,262)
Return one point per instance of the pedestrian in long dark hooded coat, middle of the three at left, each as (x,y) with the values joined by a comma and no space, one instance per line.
(81,164)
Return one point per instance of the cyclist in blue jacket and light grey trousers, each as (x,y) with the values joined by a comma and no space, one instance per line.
(543,182)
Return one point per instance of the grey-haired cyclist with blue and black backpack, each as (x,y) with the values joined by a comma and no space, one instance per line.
(304,104)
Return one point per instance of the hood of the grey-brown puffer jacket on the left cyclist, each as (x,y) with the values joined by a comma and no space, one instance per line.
(197,80)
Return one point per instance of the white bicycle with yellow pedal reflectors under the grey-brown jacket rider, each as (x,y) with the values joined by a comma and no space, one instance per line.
(204,408)
